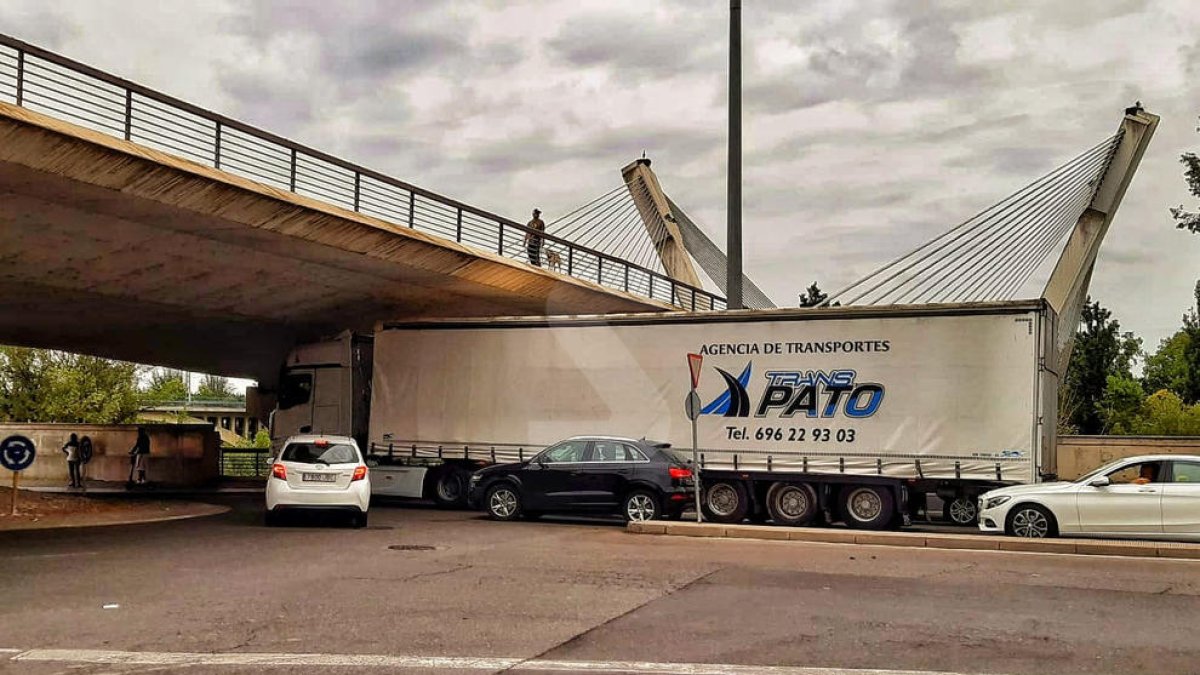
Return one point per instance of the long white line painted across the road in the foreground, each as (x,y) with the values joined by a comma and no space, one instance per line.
(439,664)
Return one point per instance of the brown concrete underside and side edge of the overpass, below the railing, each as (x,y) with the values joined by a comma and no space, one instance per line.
(112,249)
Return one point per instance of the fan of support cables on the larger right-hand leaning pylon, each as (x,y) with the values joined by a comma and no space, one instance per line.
(963,265)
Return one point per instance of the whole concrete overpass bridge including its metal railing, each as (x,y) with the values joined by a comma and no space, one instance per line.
(141,228)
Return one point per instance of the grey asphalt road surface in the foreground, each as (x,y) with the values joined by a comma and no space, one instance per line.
(568,596)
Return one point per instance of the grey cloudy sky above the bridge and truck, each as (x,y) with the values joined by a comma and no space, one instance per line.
(869,127)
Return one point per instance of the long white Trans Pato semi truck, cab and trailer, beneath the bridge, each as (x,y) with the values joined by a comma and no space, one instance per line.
(841,407)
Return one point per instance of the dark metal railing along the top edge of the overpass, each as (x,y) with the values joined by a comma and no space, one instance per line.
(52,85)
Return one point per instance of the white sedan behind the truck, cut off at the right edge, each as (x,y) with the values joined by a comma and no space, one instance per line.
(1154,497)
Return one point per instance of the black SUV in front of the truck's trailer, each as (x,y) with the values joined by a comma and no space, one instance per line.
(589,475)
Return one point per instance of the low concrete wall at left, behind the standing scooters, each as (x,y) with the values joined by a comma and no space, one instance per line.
(181,455)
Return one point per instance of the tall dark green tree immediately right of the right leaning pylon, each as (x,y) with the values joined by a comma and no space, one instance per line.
(1101,350)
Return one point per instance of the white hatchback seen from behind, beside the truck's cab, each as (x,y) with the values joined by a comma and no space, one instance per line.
(320,474)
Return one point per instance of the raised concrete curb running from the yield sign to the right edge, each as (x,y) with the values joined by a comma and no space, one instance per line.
(1177,551)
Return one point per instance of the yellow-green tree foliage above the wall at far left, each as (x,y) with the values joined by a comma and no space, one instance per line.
(49,386)
